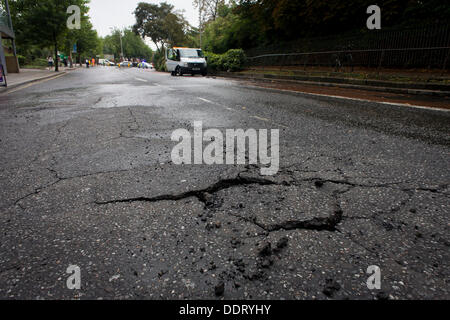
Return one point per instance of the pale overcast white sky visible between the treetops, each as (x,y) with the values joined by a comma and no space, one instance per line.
(106,14)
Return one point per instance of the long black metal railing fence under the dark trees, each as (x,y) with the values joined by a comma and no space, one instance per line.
(427,47)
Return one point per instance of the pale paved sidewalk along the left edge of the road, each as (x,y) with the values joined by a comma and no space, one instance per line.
(27,76)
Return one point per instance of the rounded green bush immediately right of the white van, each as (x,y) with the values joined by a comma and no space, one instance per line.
(231,61)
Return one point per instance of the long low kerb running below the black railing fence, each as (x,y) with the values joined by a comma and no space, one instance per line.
(368,87)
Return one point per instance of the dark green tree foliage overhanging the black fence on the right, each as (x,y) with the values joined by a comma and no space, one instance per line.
(248,23)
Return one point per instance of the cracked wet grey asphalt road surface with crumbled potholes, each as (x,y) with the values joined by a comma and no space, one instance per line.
(87,179)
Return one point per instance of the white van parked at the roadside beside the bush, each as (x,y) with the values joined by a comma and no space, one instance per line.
(180,61)
